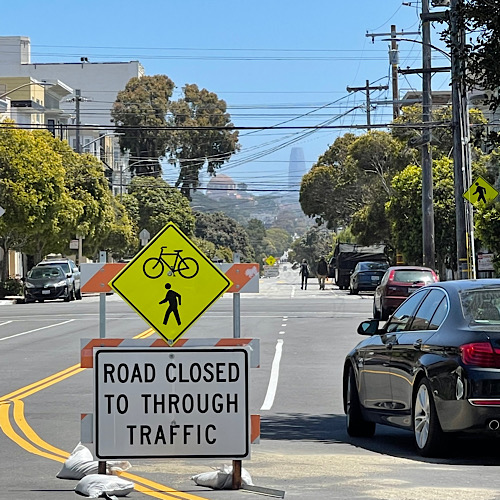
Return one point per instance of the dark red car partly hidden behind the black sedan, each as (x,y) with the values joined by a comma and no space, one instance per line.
(397,284)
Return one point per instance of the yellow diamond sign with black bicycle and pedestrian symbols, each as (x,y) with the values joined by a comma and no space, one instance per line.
(170,283)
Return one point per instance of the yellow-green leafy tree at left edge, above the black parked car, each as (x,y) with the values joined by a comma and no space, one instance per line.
(32,189)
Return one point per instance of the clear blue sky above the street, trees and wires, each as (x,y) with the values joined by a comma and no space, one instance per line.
(272,61)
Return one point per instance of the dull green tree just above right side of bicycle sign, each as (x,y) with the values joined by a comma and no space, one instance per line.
(224,232)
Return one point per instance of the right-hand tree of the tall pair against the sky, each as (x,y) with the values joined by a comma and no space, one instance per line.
(206,140)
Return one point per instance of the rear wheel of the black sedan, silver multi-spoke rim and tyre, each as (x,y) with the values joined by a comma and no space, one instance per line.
(429,436)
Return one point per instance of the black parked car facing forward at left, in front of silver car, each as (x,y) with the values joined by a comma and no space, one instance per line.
(47,283)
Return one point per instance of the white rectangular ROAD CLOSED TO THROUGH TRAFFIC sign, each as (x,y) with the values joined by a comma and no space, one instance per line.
(168,403)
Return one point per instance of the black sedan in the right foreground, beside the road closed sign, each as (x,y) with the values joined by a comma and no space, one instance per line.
(433,368)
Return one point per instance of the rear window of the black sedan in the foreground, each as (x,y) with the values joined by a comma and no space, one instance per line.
(481,306)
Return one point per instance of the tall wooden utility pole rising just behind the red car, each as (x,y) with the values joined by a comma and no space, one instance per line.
(428,243)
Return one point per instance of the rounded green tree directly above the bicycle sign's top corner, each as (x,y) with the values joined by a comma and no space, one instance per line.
(152,203)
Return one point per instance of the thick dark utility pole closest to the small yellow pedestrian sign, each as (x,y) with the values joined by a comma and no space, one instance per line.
(461,150)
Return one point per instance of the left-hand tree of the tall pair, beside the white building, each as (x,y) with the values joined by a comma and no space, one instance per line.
(140,114)
